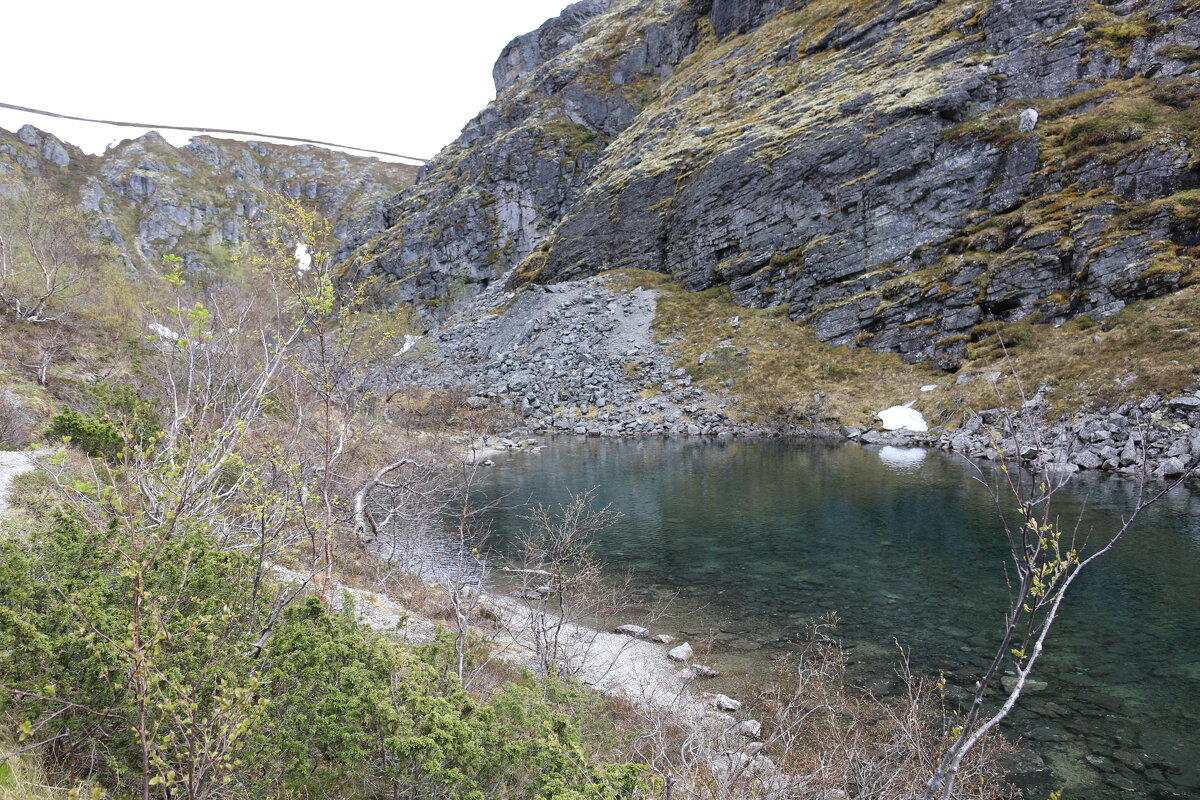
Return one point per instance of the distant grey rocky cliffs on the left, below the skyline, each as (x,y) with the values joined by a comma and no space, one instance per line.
(199,202)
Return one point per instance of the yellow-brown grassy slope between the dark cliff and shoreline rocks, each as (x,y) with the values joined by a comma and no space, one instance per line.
(1151,346)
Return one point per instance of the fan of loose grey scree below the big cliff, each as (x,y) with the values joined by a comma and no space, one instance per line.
(575,358)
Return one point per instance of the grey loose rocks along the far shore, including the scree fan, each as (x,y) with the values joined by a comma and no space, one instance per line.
(581,358)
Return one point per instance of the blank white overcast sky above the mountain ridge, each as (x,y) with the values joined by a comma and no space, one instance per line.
(403,76)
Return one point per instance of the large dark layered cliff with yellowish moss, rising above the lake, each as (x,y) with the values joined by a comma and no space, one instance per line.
(902,175)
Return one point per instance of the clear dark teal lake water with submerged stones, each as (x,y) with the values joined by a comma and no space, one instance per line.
(754,540)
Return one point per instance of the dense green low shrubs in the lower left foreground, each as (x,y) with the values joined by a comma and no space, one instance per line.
(327,709)
